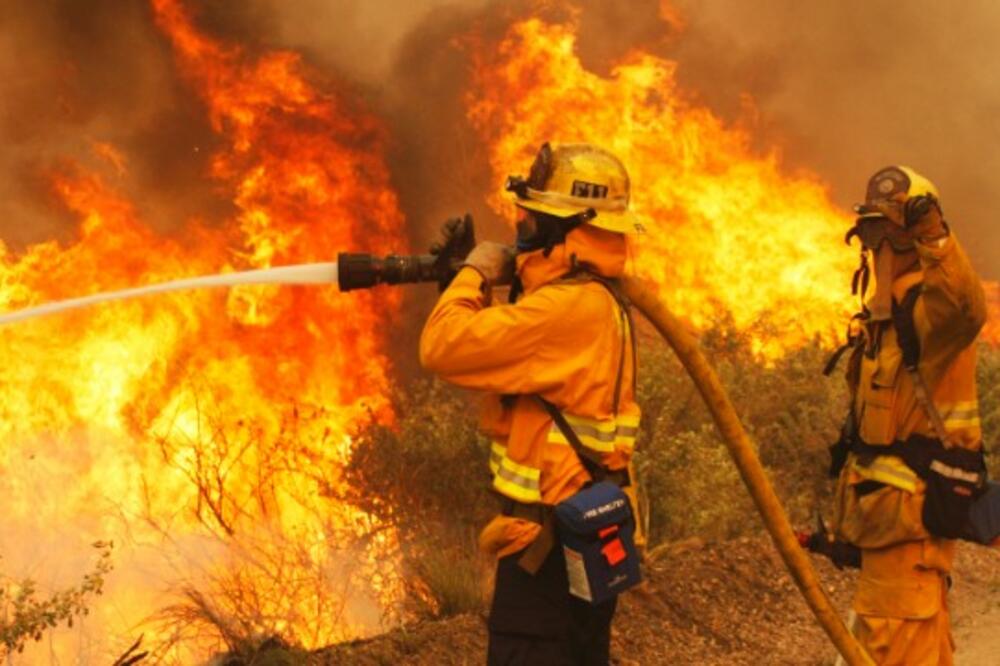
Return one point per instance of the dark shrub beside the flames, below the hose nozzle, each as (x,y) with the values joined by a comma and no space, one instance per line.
(426,476)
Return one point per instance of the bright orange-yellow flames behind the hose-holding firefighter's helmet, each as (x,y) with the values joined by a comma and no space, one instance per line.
(728,231)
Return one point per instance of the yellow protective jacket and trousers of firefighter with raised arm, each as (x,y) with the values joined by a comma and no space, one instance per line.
(902,565)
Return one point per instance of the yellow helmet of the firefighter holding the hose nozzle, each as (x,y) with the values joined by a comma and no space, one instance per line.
(577,179)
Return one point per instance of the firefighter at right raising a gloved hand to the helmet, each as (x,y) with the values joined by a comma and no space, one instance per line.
(910,457)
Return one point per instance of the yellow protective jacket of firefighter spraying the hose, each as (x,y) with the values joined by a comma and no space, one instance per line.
(565,339)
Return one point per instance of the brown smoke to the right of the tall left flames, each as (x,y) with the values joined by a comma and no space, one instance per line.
(840,89)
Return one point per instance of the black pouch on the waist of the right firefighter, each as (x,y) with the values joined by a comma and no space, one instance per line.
(955,480)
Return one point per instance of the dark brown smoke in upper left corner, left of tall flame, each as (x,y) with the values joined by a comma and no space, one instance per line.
(74,75)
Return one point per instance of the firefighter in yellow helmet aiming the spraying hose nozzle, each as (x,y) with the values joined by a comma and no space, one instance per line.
(567,337)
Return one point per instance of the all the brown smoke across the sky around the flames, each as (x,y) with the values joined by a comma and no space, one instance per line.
(840,89)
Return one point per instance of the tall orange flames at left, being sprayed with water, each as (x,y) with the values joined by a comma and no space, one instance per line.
(204,431)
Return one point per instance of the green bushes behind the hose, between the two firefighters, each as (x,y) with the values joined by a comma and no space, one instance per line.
(790,409)
